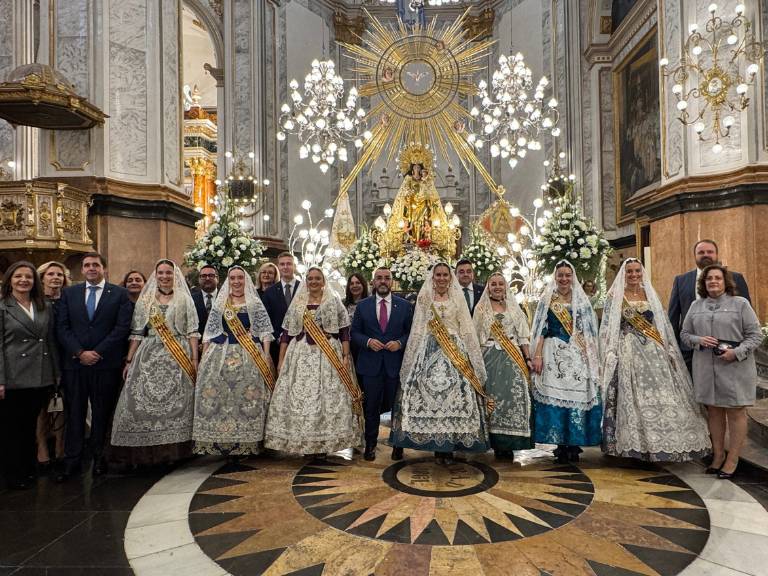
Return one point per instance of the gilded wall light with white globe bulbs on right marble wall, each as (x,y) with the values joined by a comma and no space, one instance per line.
(711,73)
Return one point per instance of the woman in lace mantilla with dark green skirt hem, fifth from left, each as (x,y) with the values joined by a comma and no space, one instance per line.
(510,423)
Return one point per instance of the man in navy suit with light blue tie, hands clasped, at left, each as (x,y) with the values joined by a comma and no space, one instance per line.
(93,324)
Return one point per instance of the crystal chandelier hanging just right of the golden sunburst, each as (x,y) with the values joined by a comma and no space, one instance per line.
(512,119)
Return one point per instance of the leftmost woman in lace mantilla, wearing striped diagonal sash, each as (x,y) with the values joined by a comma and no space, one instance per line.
(156,403)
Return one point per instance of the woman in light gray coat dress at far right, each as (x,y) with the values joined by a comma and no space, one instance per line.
(723,331)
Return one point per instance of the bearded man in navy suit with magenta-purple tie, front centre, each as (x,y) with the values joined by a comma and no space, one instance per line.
(380,331)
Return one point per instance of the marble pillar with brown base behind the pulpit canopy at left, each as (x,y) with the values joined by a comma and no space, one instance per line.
(124,56)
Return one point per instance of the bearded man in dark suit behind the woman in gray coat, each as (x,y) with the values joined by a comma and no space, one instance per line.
(684,291)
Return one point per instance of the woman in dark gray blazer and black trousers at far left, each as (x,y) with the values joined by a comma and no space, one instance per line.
(28,368)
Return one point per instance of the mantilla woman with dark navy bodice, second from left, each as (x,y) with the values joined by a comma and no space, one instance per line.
(231,396)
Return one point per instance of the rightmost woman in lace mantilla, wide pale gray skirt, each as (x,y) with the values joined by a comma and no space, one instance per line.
(650,412)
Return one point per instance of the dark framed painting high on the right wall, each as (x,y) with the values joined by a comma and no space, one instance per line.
(636,125)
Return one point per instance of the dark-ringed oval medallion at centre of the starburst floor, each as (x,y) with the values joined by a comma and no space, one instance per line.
(427,478)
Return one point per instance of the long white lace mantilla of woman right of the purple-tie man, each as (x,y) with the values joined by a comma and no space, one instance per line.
(419,329)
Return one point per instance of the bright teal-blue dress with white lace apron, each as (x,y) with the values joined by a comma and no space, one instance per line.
(555,423)
